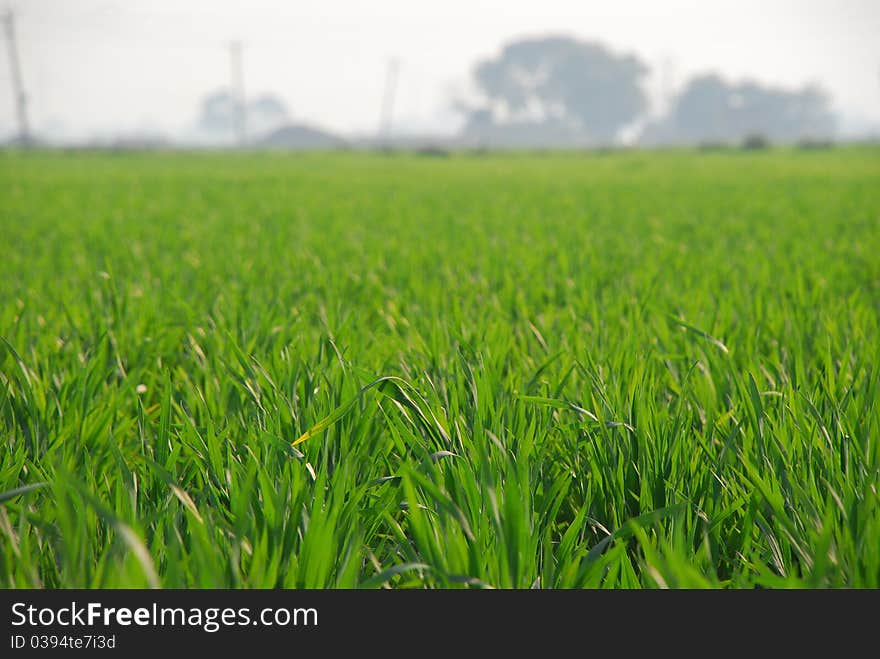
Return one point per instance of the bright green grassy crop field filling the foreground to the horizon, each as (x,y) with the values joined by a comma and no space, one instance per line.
(546,370)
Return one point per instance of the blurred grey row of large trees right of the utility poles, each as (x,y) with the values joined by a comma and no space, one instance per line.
(560,90)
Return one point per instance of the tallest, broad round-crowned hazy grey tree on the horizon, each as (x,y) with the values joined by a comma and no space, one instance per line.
(561,81)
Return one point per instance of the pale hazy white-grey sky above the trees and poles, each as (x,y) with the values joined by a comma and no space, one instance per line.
(101,66)
